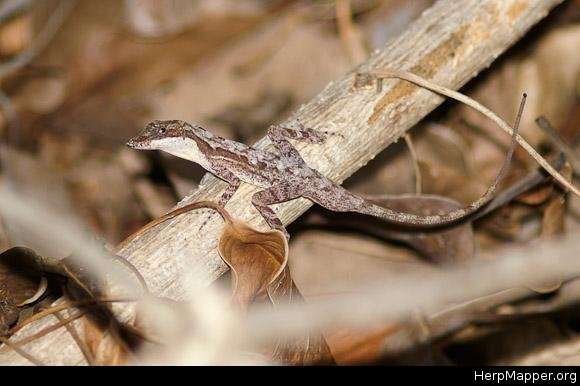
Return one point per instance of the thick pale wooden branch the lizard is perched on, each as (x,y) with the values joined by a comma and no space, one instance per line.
(450,44)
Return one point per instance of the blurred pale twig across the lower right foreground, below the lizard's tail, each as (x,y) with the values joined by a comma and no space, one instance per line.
(394,299)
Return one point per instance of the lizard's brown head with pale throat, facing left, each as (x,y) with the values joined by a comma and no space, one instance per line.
(159,134)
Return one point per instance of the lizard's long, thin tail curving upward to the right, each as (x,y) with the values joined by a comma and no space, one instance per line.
(366,207)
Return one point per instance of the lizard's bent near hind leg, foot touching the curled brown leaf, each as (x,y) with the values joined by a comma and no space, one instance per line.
(274,195)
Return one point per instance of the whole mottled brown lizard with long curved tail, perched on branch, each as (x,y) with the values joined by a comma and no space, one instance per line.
(284,175)
